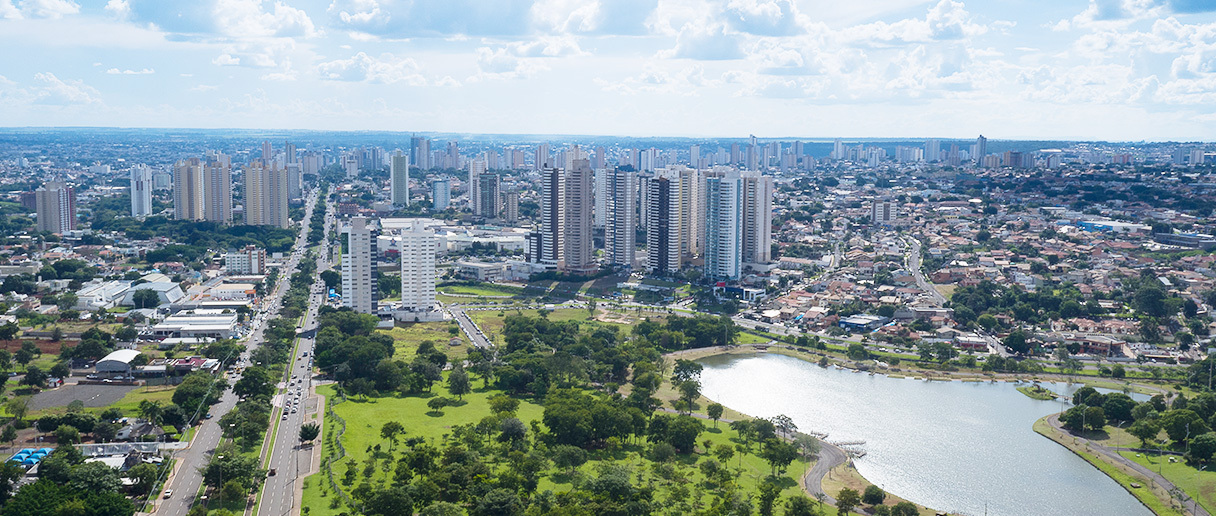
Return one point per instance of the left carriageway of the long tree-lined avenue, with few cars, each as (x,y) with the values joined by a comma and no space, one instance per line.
(188,480)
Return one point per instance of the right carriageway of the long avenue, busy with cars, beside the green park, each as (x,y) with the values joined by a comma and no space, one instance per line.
(289,459)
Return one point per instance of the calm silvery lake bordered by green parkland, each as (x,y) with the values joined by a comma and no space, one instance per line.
(959,447)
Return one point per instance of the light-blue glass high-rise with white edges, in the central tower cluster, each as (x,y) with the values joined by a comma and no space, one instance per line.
(724,231)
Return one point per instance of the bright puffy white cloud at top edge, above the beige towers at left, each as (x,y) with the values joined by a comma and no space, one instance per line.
(246,19)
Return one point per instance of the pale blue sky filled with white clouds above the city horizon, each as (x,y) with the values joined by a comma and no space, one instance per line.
(1082,70)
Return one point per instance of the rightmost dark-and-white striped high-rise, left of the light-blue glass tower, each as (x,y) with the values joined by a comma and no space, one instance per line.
(665,226)
